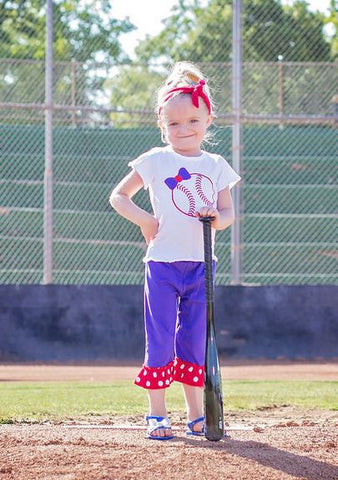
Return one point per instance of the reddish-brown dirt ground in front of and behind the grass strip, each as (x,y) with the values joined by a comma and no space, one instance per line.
(274,444)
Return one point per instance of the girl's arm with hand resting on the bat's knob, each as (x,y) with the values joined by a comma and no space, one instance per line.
(224,213)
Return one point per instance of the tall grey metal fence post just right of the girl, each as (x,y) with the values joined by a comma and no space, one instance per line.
(236,243)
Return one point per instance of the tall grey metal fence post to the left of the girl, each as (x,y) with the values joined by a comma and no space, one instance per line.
(48,176)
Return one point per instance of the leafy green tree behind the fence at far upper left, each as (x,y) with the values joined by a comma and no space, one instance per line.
(84,32)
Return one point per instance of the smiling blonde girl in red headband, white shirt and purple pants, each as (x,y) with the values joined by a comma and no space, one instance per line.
(184,184)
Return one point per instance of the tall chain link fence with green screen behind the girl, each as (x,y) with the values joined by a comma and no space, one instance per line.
(103,116)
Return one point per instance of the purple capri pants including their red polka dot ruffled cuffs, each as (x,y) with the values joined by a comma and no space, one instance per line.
(175,324)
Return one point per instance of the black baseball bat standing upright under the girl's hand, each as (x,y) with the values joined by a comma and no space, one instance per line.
(213,397)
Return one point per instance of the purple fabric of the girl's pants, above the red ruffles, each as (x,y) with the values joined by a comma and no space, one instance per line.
(175,312)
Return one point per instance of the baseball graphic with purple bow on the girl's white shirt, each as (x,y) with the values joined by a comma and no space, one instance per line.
(191,191)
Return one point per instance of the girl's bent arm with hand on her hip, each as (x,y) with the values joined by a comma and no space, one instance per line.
(121,200)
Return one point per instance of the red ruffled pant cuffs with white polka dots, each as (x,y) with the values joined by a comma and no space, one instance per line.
(162,377)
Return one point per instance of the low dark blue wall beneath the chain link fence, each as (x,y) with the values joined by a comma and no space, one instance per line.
(105,323)
